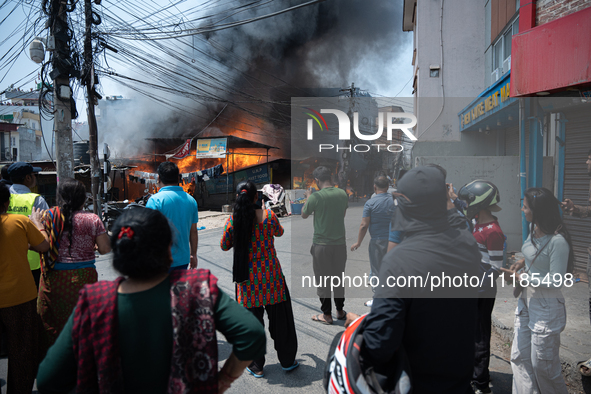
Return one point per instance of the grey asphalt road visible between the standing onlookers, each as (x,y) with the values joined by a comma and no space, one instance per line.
(314,338)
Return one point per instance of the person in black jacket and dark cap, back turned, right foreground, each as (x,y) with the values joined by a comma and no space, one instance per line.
(434,325)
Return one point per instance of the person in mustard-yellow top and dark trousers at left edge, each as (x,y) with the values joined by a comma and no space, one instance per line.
(18,293)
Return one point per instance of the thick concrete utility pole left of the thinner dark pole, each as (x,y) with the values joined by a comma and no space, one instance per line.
(62,94)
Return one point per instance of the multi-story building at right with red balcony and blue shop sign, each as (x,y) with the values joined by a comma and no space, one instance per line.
(486,74)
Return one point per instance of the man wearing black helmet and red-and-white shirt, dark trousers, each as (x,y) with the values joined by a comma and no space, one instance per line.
(482,198)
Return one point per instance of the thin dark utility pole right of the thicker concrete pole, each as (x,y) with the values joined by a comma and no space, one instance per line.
(95,167)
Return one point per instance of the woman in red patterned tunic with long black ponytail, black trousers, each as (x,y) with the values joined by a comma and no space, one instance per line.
(260,284)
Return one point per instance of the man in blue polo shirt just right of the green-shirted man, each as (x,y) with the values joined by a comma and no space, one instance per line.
(377,214)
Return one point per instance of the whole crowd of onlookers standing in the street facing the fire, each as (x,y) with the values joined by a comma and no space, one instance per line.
(68,330)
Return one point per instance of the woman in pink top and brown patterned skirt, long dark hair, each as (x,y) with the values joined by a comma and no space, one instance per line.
(70,263)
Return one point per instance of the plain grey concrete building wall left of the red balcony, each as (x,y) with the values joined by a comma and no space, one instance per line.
(453,47)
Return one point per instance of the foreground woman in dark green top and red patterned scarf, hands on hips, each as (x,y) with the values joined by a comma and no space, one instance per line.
(150,331)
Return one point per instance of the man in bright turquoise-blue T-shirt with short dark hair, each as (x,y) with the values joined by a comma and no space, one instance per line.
(181,210)
